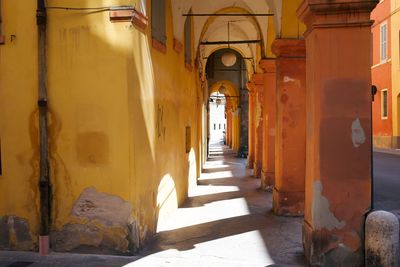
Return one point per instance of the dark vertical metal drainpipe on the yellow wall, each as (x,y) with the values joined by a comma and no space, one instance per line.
(44,184)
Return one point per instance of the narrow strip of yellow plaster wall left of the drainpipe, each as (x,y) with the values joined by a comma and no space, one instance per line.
(18,127)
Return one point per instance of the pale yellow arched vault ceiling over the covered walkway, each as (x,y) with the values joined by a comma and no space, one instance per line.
(208,29)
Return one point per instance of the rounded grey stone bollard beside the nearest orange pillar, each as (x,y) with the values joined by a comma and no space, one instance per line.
(382,239)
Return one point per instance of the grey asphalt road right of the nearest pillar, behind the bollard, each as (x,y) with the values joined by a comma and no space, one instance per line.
(387,182)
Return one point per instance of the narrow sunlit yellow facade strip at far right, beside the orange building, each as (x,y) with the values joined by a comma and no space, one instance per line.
(395,30)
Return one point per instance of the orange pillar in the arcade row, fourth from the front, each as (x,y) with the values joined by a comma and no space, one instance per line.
(258,81)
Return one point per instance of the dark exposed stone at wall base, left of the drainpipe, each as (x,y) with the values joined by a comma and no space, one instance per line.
(14,234)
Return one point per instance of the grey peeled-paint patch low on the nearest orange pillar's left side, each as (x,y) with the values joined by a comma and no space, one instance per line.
(322,216)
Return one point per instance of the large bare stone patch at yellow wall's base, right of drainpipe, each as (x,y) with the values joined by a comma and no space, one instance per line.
(100,223)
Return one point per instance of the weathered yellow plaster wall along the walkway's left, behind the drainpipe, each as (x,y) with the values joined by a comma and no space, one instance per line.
(118,113)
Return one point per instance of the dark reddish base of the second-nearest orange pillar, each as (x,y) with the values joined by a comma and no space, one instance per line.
(288,203)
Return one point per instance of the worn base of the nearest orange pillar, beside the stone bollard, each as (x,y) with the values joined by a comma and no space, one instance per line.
(327,248)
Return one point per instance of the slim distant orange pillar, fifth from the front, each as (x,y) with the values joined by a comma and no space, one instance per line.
(251,119)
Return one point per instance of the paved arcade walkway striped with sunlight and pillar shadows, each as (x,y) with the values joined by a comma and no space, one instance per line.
(227,221)
